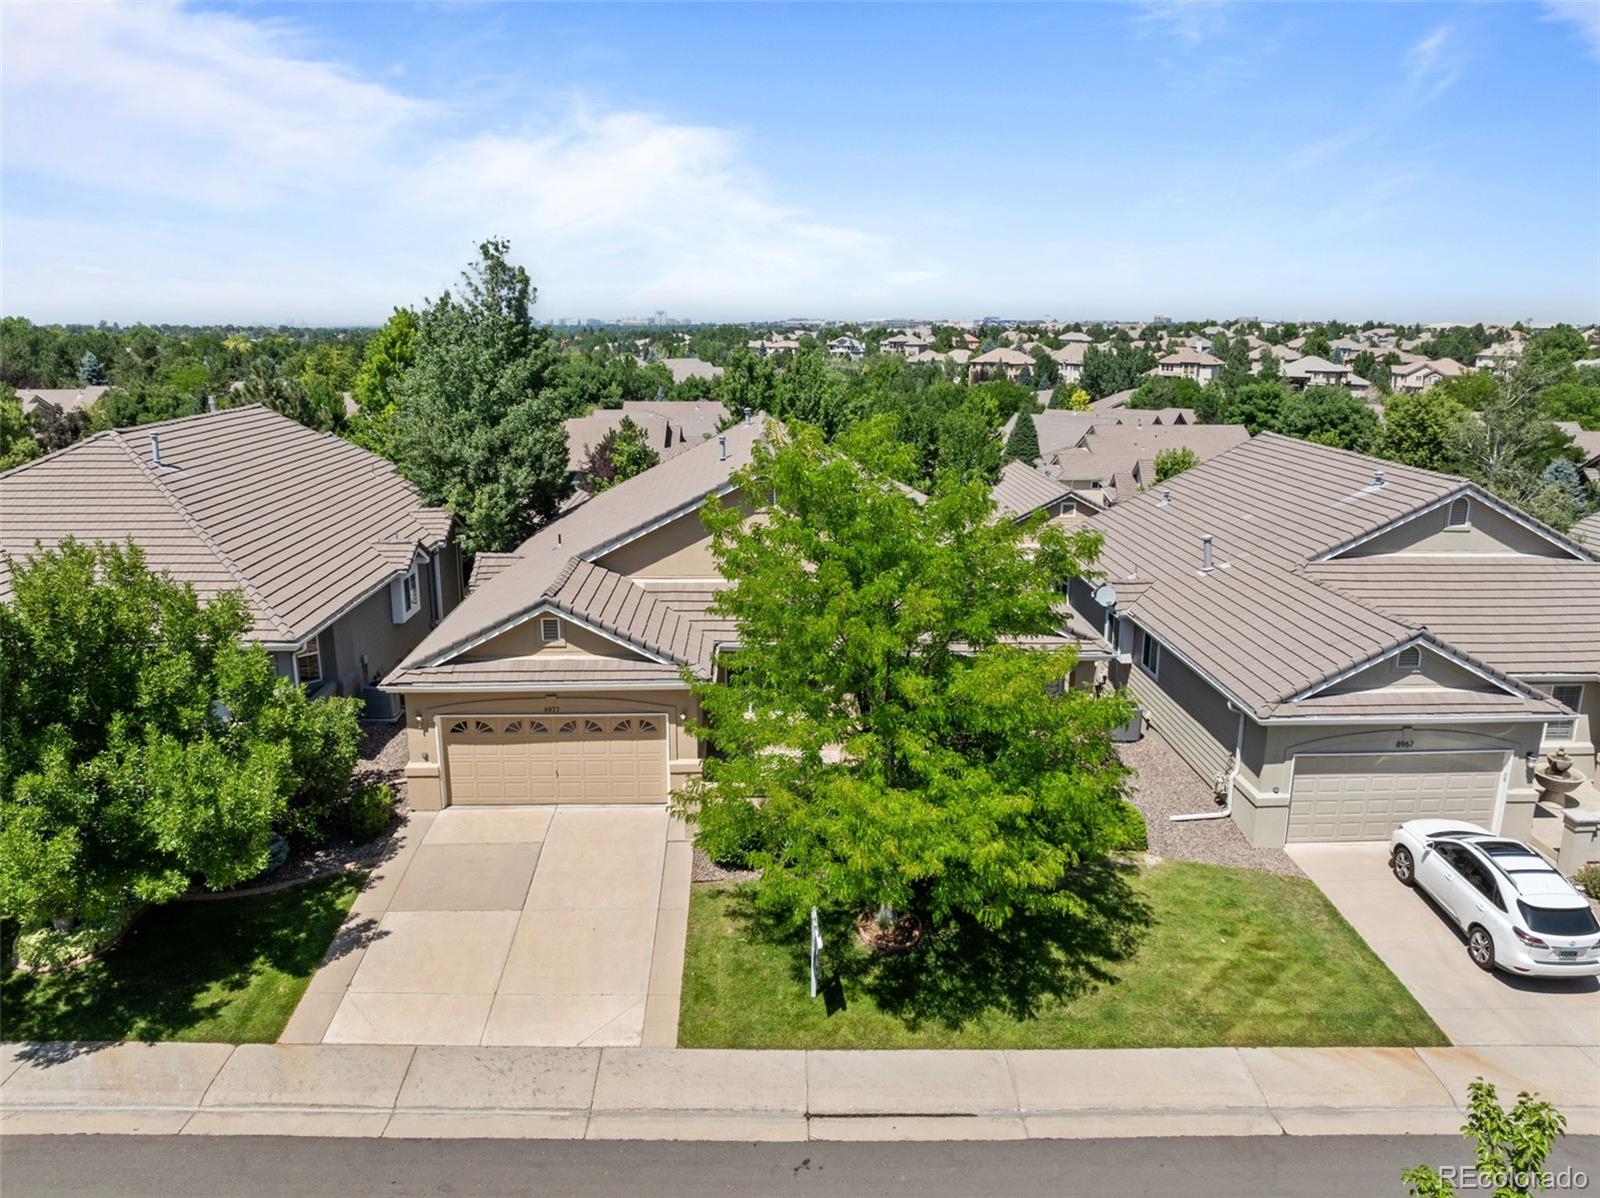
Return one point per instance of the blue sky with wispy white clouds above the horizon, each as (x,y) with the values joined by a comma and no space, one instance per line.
(322,164)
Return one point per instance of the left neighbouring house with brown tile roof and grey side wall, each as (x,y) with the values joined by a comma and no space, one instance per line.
(342,565)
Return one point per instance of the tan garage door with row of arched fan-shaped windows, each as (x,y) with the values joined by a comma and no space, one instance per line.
(585,759)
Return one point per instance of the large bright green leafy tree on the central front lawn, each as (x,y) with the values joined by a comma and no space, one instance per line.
(879,738)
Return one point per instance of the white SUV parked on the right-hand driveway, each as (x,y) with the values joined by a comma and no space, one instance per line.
(1518,911)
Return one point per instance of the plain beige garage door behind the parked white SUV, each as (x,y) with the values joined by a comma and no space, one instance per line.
(1362,797)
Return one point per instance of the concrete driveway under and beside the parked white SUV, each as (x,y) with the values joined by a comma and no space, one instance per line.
(1426,952)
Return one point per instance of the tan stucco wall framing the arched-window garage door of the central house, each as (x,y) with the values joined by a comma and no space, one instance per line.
(425,711)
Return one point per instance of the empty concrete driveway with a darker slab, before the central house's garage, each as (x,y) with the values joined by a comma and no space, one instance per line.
(513,927)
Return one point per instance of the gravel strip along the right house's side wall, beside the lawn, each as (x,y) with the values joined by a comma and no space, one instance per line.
(1164,788)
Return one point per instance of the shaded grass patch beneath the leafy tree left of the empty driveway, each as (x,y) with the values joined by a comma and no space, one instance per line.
(226,970)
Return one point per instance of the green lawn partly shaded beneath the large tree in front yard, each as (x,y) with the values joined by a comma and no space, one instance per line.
(1174,956)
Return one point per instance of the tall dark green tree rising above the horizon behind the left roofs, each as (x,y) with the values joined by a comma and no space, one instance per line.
(476,428)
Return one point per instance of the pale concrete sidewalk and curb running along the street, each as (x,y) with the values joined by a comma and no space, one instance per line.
(703,1095)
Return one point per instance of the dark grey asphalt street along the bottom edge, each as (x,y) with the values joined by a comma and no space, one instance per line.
(1282,1167)
